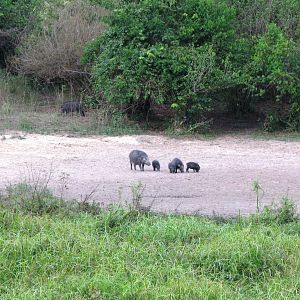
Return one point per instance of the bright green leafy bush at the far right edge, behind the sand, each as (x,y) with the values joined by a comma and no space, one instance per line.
(274,77)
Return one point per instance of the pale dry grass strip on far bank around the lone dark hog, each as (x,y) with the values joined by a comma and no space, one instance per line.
(27,109)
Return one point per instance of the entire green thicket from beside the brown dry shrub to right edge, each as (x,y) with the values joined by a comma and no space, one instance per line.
(199,55)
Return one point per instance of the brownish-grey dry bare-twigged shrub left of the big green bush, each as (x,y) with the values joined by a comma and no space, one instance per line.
(55,53)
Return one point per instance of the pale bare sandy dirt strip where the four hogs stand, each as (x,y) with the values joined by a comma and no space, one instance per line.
(223,186)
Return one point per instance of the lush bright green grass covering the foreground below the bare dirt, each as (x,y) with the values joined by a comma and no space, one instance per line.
(50,249)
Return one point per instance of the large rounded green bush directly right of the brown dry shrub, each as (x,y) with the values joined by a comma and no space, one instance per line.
(163,52)
